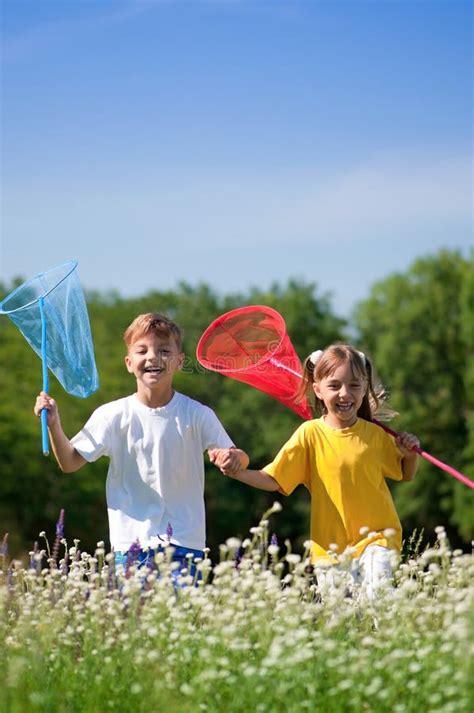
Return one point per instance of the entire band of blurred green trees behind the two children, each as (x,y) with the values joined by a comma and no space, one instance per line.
(417,327)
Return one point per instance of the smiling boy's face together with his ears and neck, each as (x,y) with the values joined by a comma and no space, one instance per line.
(154,359)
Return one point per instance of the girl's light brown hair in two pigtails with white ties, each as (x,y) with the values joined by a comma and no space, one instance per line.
(332,357)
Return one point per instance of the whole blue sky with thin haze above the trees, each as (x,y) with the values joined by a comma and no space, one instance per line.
(235,142)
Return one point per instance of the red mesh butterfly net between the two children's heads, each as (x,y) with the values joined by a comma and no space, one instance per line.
(250,344)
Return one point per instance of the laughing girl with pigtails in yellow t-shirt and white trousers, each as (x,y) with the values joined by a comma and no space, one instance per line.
(343,458)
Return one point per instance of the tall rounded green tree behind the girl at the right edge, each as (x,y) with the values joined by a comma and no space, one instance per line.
(418,327)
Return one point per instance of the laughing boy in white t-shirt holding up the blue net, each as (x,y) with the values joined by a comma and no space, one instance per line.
(155,440)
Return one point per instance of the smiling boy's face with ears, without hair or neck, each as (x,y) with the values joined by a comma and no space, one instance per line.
(153,359)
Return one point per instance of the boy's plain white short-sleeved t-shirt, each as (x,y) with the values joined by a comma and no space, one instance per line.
(155,480)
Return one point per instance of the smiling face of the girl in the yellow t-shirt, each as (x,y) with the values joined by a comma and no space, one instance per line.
(342,392)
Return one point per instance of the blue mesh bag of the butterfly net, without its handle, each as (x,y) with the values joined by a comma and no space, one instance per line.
(69,348)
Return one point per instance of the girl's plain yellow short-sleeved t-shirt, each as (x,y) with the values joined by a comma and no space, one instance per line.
(344,470)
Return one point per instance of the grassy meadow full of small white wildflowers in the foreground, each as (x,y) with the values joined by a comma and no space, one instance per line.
(255,633)
